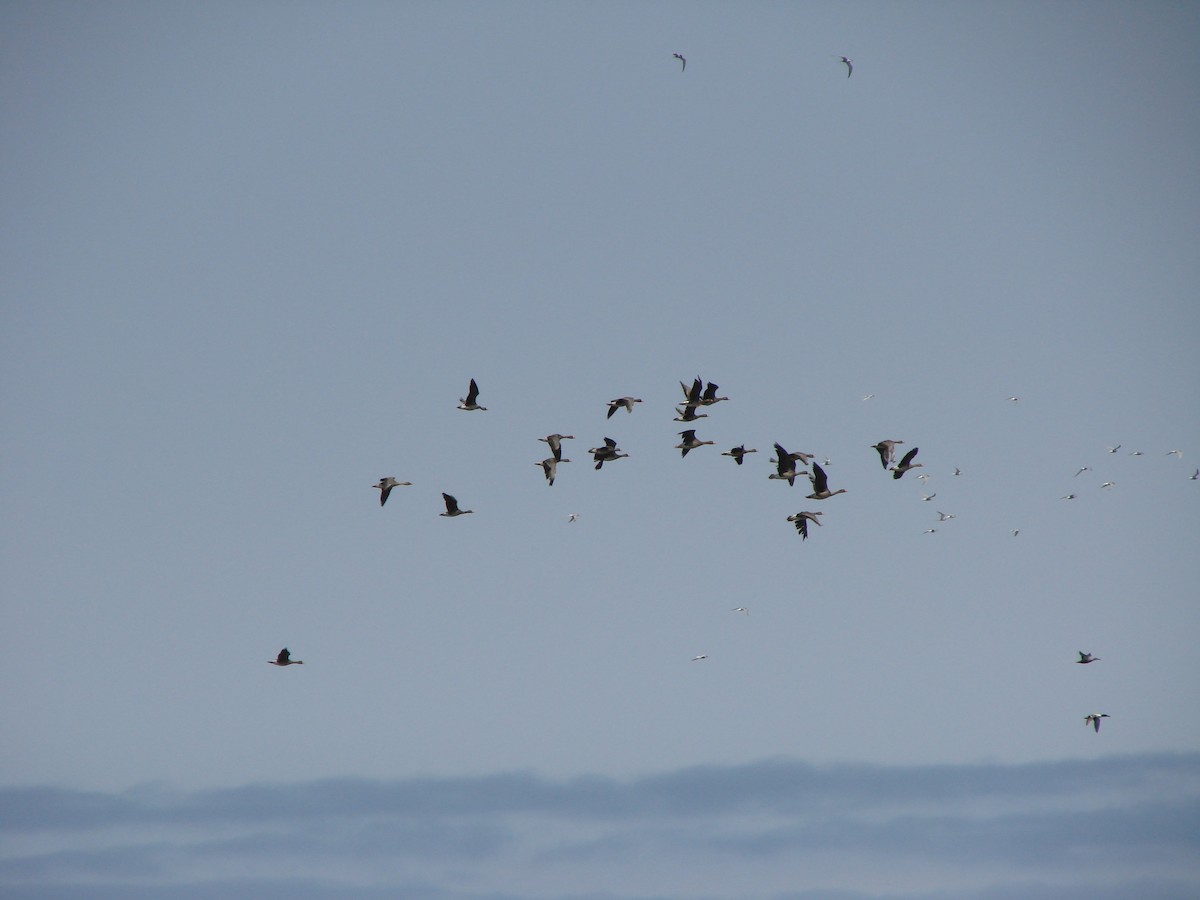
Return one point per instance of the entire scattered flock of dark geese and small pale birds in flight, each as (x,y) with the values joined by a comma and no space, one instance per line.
(789,467)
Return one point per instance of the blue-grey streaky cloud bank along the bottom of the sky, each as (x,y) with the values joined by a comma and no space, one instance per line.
(767,830)
